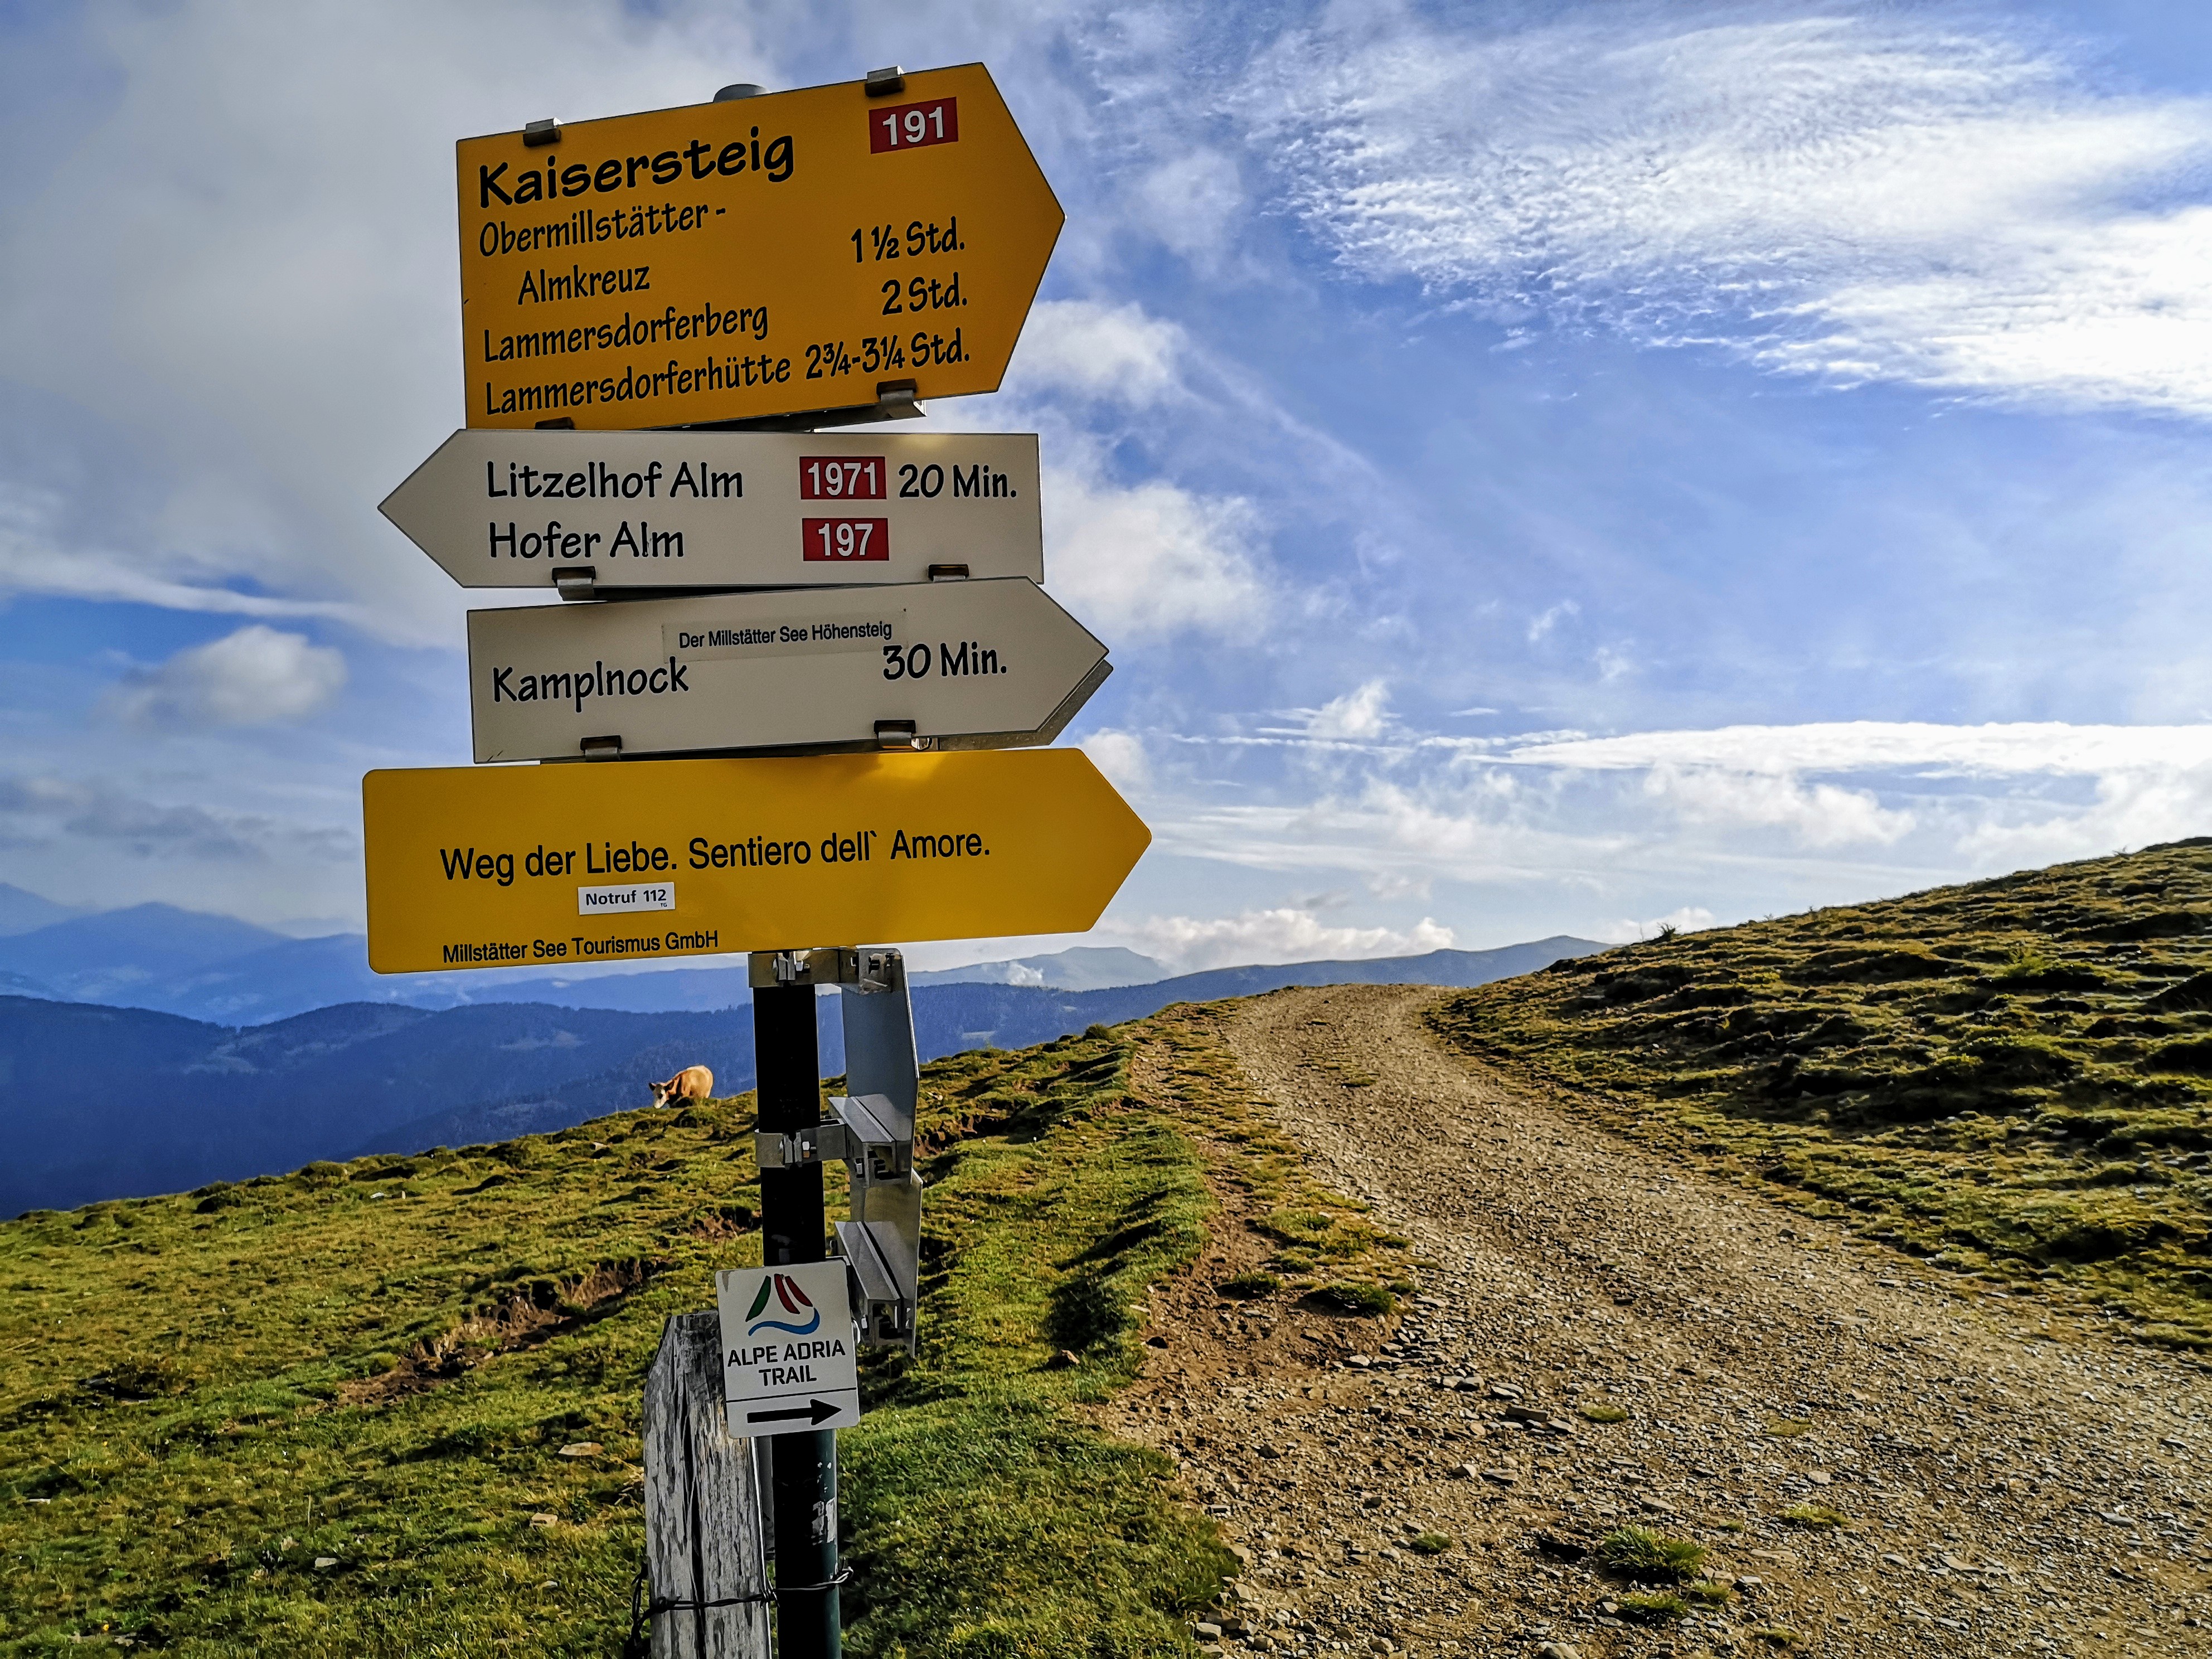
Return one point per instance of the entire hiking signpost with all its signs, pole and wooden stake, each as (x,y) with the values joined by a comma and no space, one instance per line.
(658,315)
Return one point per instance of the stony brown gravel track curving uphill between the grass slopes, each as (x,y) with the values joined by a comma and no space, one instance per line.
(1879,1461)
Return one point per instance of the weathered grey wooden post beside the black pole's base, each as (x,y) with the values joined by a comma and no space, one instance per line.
(702,1507)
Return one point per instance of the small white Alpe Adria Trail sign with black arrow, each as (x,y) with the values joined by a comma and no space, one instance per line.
(789,1348)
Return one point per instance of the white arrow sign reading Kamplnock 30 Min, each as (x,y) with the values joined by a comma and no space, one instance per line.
(970,665)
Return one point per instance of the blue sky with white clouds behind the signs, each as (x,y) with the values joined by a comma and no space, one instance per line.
(1541,468)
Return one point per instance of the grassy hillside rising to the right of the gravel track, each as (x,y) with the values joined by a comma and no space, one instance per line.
(2012,1078)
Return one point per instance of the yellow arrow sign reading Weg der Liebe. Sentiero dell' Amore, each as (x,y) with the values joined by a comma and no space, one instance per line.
(640,862)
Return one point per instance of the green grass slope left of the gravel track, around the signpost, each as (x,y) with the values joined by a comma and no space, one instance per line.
(382,1361)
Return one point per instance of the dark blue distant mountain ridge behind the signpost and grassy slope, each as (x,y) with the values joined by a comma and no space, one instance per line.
(114,1100)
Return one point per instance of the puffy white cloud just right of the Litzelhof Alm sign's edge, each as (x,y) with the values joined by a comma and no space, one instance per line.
(1149,559)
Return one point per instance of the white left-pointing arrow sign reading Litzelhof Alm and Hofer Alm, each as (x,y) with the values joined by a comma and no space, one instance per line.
(722,510)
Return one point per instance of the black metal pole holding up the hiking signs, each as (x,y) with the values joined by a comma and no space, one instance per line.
(793,1229)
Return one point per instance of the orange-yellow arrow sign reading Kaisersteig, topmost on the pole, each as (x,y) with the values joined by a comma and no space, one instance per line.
(769,255)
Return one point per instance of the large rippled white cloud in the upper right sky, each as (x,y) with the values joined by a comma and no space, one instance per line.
(1884,196)
